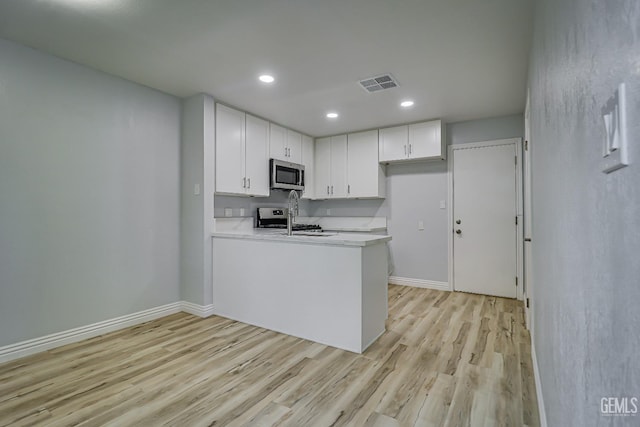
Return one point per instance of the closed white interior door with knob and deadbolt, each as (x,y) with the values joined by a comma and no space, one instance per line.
(484,214)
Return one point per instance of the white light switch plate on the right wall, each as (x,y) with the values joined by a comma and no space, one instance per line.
(615,128)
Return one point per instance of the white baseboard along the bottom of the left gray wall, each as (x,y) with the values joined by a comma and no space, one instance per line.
(36,345)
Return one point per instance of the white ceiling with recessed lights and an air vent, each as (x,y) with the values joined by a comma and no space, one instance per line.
(457,59)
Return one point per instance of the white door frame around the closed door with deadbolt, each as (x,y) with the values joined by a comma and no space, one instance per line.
(519,205)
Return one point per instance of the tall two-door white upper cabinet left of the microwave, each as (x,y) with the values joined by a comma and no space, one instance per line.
(242,153)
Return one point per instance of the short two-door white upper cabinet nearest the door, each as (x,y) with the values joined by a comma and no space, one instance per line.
(419,141)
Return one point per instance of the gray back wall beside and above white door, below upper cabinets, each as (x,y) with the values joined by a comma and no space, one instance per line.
(414,192)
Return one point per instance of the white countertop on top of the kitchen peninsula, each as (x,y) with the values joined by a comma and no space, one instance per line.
(331,239)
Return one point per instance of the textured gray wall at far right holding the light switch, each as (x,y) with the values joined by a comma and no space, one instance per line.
(586,224)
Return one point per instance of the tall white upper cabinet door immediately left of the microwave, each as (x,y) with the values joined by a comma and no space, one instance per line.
(257,156)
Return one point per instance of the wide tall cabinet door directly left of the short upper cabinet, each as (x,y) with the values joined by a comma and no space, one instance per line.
(363,168)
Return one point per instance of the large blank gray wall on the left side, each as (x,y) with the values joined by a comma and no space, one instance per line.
(89,195)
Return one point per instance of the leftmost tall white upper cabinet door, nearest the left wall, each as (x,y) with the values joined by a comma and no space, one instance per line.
(229,150)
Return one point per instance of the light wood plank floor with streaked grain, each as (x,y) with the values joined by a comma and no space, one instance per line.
(447,359)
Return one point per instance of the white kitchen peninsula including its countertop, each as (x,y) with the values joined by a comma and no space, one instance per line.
(330,288)
